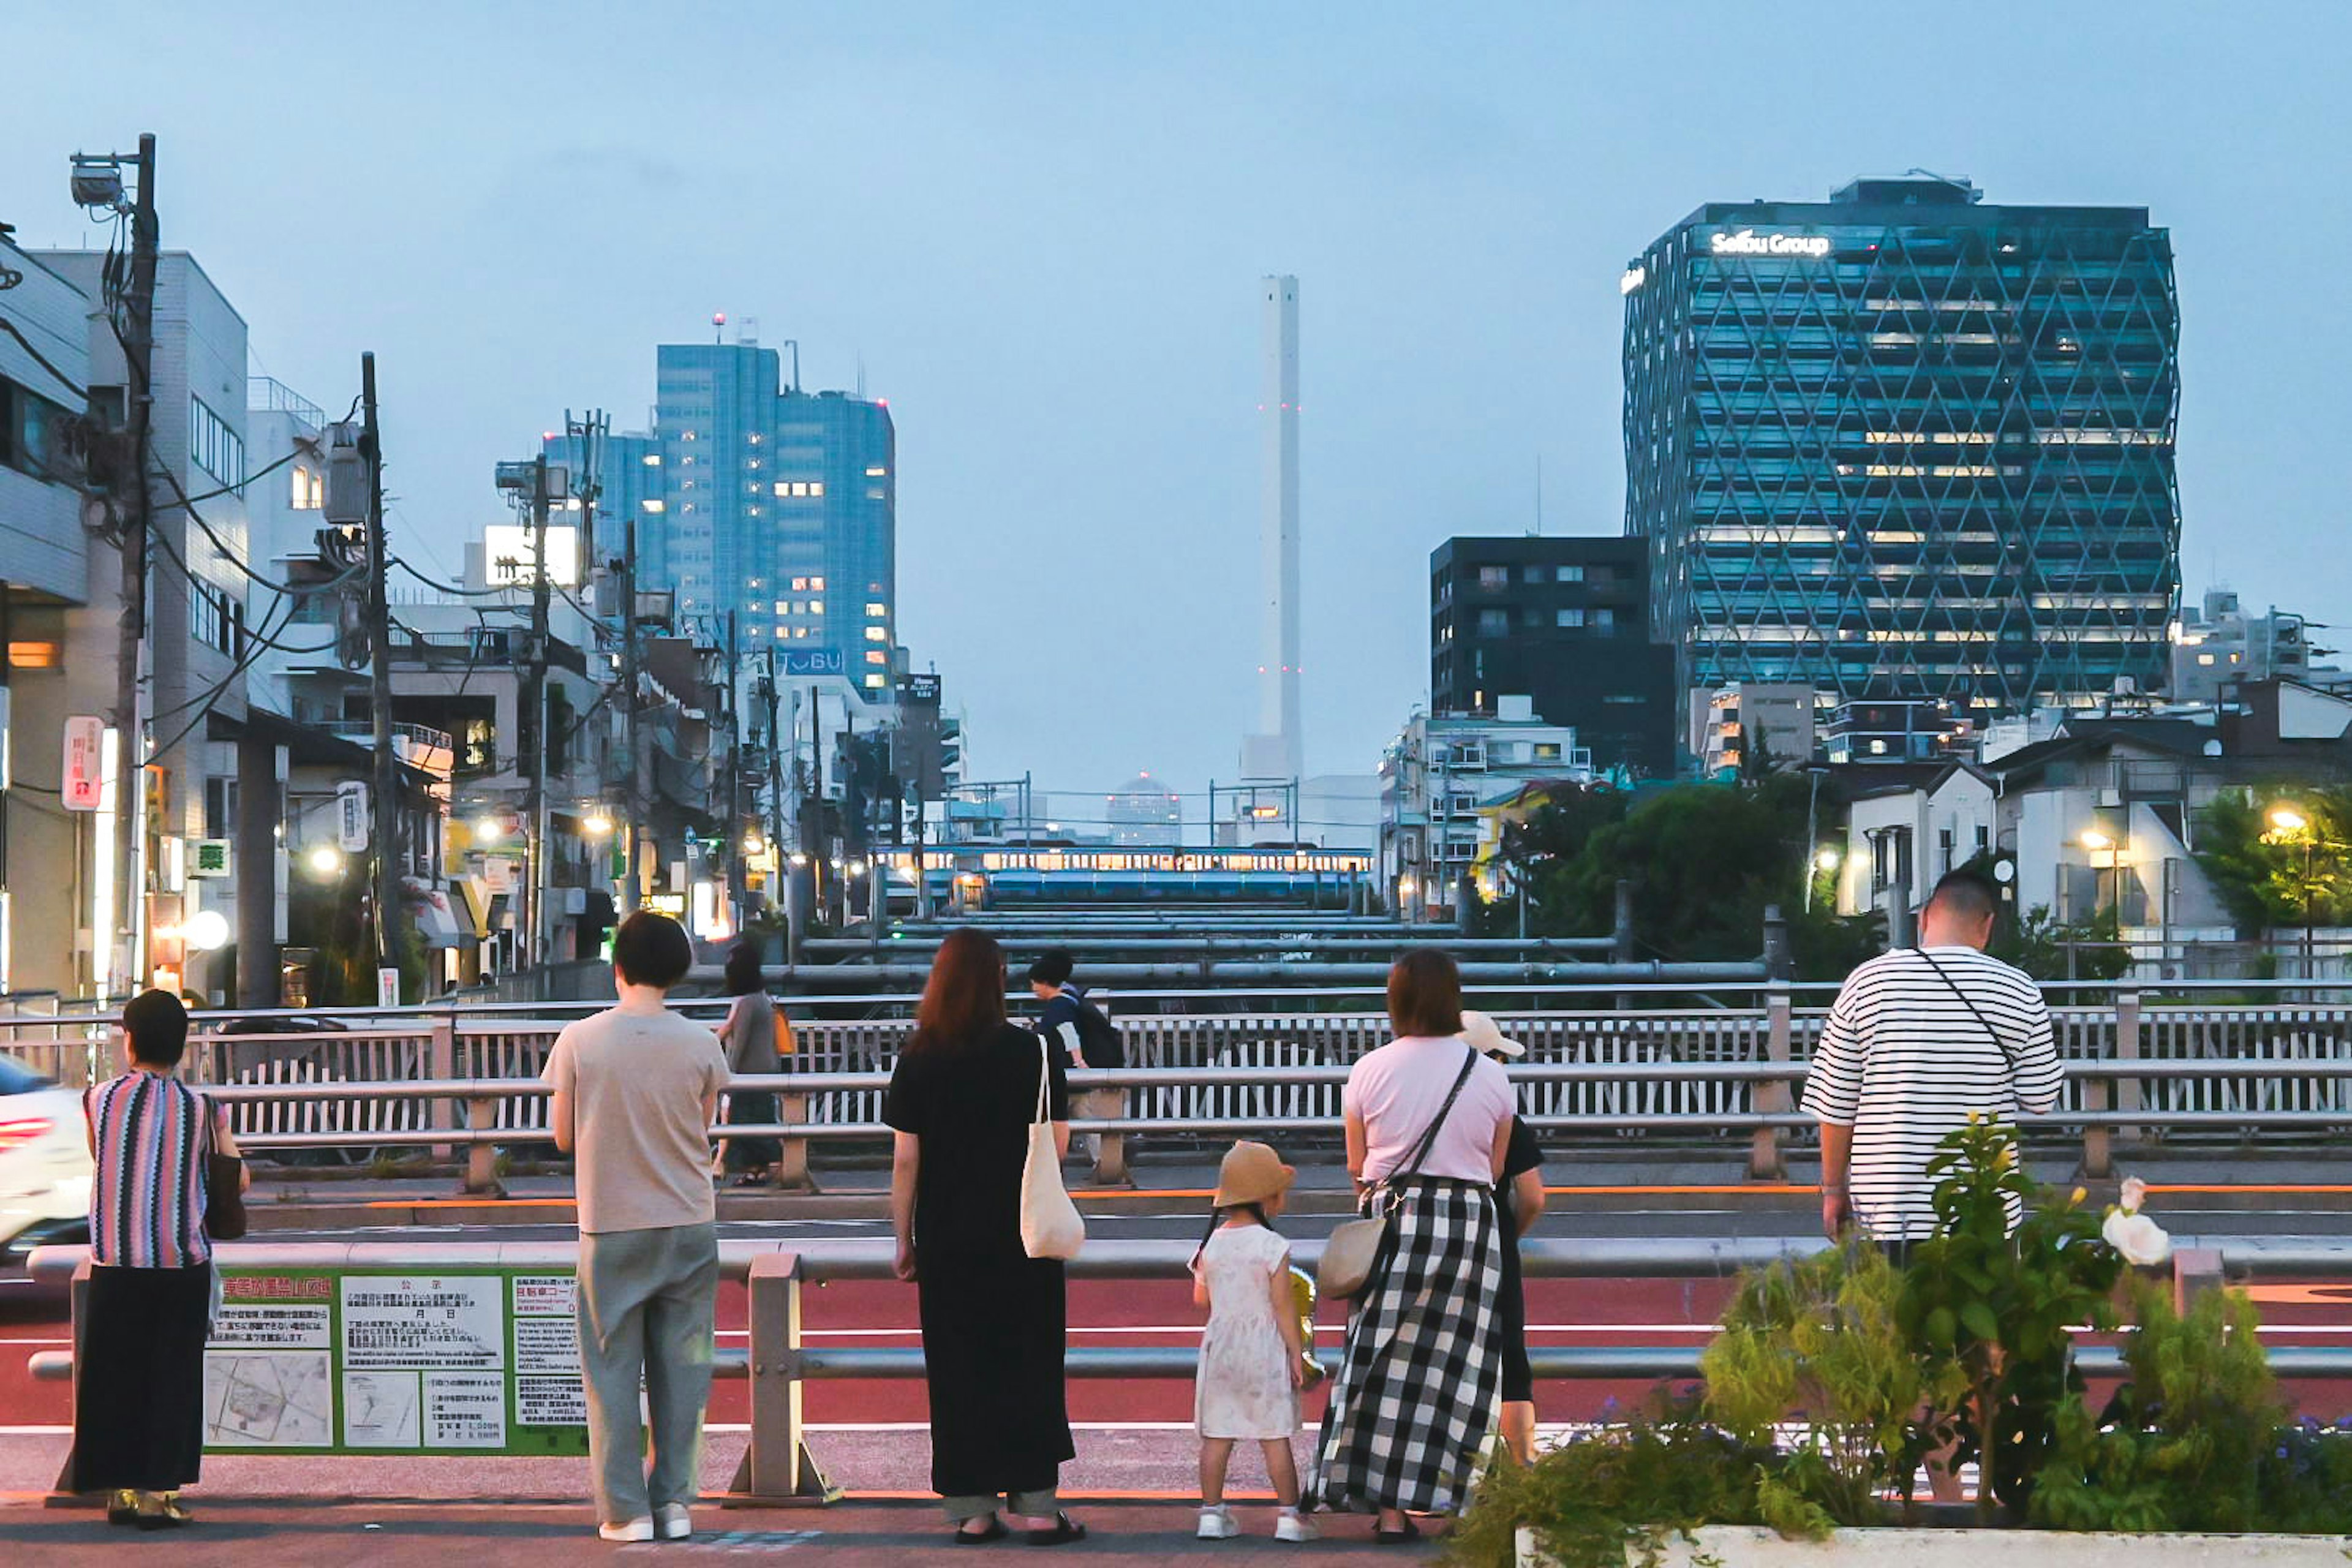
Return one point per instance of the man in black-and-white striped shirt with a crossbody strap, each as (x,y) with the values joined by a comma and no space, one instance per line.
(1918,1043)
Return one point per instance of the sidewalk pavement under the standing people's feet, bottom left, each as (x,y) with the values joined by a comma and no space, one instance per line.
(246,1534)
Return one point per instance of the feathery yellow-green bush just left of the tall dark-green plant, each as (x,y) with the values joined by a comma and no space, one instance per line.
(1819,1339)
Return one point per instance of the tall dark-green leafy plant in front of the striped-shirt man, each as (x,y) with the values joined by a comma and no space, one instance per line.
(1991,1311)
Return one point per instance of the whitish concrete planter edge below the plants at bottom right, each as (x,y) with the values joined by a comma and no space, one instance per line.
(1758,1548)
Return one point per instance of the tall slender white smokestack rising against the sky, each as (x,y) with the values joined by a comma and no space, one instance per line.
(1276,751)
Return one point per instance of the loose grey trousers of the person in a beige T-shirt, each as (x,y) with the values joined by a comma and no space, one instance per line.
(646,1320)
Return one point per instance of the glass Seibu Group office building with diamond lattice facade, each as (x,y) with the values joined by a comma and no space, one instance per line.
(1906,445)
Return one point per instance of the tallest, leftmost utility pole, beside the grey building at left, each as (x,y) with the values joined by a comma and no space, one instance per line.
(131,643)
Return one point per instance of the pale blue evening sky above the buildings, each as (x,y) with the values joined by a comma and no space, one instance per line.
(1041,232)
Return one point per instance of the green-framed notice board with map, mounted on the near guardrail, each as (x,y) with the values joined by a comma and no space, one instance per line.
(382,1360)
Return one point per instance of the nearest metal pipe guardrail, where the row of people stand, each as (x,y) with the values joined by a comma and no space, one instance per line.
(780,1362)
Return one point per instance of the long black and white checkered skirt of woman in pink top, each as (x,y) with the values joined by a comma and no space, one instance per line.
(1417,1379)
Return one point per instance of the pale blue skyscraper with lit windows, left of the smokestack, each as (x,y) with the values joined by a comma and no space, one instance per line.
(766,502)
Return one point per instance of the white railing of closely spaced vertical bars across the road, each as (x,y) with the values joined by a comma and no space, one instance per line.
(2264,1061)
